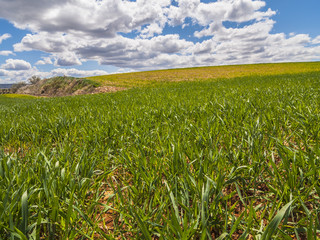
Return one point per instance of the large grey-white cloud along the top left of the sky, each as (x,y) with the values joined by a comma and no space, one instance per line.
(83,17)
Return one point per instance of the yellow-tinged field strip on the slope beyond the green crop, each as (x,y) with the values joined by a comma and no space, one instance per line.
(137,79)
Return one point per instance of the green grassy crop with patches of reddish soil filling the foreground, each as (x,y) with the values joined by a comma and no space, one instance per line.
(222,158)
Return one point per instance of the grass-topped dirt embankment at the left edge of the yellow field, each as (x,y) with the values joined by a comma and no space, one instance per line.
(63,86)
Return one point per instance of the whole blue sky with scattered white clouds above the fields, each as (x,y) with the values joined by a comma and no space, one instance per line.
(96,37)
